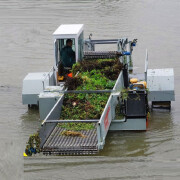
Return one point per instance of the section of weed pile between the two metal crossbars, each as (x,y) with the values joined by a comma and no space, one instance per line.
(83,106)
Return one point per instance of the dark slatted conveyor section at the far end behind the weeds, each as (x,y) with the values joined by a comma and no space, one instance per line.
(101,54)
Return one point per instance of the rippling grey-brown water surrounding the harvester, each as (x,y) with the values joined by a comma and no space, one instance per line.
(26,45)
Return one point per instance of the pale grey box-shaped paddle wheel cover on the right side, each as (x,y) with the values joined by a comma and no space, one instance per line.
(160,79)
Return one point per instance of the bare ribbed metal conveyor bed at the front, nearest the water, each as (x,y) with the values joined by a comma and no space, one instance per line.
(67,145)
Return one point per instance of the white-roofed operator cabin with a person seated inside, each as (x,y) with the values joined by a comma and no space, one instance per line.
(68,47)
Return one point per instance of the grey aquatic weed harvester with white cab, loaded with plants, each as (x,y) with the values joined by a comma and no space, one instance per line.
(99,94)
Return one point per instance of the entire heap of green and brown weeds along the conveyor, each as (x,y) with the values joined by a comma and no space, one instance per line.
(92,75)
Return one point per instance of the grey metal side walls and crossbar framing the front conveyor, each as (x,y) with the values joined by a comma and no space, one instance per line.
(102,125)
